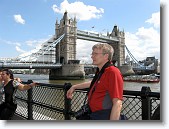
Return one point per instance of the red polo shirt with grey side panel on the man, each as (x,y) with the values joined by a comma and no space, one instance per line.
(108,87)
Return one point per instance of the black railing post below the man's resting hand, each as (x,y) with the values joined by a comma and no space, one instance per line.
(67,102)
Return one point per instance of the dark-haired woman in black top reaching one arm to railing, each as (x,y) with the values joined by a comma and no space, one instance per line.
(10,85)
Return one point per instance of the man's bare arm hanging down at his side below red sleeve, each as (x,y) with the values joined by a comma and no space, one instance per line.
(116,109)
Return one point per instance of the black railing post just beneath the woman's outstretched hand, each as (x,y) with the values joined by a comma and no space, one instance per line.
(29,102)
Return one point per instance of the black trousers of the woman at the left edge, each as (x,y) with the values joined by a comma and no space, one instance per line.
(6,111)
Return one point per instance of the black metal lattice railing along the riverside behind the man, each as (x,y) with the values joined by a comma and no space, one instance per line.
(49,102)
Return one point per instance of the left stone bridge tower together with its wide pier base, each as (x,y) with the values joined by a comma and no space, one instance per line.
(66,51)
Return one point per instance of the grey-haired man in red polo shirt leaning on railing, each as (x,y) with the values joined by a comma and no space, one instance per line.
(106,90)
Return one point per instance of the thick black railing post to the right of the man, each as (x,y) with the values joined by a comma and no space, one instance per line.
(146,104)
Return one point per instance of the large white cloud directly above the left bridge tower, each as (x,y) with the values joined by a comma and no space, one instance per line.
(79,9)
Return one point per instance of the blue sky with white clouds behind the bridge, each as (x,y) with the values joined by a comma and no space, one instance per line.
(25,24)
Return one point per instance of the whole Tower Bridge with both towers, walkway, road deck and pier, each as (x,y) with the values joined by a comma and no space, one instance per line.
(59,53)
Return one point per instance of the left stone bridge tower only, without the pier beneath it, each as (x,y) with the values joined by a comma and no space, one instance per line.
(66,49)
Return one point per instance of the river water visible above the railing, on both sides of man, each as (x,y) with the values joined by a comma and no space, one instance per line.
(134,86)
